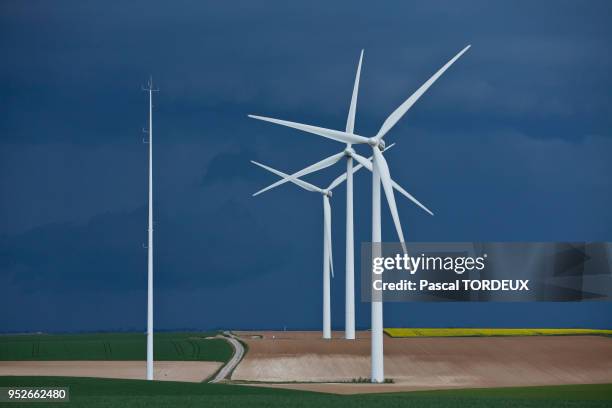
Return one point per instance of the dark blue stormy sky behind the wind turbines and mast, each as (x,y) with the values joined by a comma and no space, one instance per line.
(513,143)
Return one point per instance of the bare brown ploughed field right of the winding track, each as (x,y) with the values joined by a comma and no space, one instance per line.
(425,363)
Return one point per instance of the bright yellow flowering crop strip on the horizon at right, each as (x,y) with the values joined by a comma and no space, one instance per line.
(469,332)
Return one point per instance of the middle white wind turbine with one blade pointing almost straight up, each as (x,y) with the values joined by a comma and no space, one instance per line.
(349,154)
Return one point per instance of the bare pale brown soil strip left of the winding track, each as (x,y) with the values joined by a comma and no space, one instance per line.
(189,371)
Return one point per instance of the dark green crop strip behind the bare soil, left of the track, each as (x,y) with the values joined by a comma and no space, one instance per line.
(114,346)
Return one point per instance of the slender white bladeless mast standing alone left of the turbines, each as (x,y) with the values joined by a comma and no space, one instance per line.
(150,90)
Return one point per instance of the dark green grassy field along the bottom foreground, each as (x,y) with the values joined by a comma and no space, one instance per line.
(95,393)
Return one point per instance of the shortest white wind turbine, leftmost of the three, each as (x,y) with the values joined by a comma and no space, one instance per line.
(327,236)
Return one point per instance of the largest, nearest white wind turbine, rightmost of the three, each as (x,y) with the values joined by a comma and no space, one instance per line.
(380,175)
